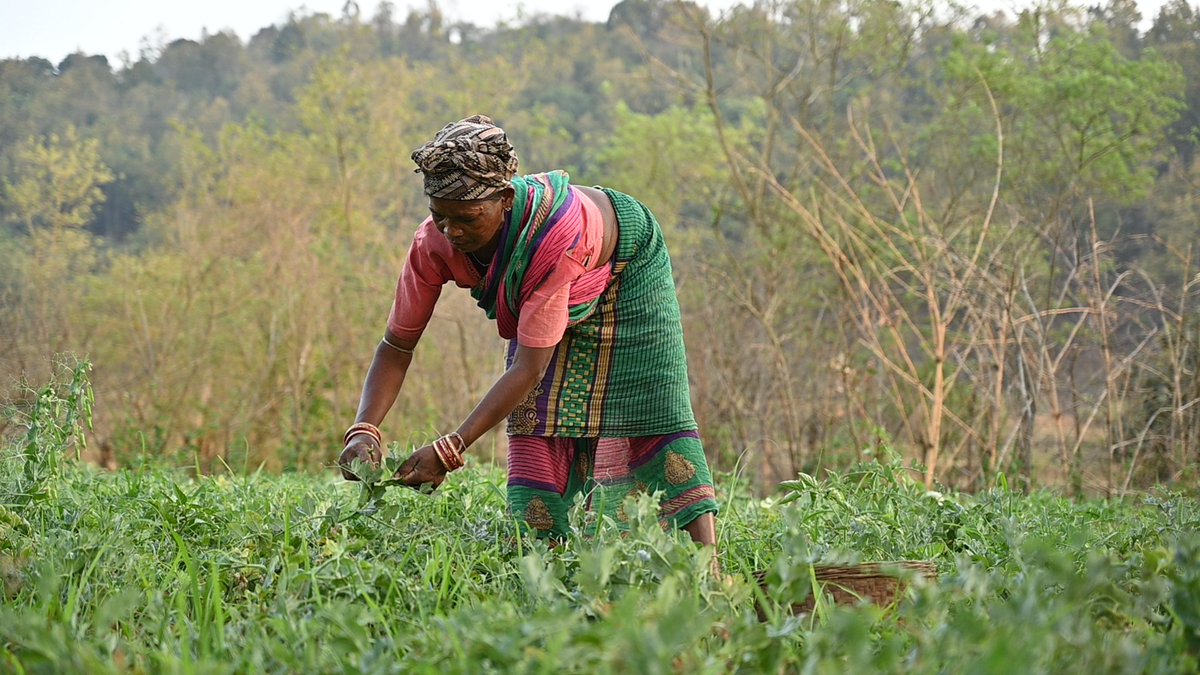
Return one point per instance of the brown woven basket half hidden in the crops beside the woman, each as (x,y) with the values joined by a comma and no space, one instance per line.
(880,583)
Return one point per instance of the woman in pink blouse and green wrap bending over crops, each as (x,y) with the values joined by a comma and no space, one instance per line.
(579,282)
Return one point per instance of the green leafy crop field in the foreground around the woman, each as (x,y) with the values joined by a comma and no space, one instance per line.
(157,570)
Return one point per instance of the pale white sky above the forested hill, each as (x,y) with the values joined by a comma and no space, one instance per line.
(52,29)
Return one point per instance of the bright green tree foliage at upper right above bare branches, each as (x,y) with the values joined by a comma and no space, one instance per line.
(1081,117)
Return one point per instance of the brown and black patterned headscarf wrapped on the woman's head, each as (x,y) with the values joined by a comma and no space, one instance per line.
(471,159)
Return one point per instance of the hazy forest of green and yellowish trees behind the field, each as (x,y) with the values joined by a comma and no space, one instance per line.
(967,238)
